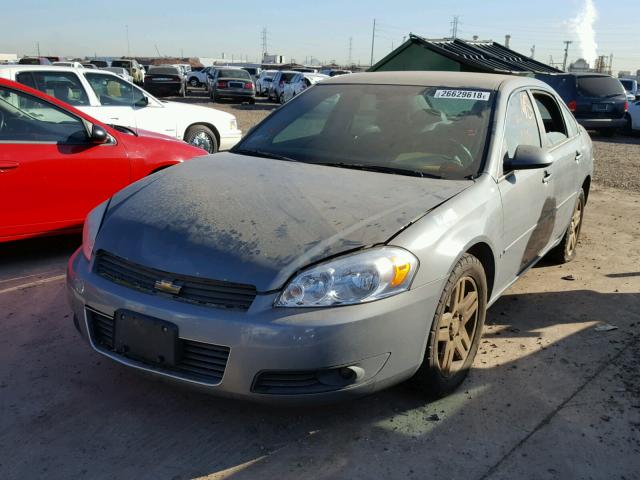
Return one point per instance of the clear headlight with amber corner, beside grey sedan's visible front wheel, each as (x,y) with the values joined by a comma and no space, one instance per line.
(357,278)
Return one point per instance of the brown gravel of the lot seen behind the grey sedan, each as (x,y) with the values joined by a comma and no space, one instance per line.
(617,159)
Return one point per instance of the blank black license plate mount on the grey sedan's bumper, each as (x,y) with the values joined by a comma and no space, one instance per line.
(146,338)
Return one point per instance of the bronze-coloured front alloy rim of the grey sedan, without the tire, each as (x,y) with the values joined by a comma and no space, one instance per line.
(457,326)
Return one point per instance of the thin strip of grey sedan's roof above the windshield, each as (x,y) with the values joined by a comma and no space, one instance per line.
(489,81)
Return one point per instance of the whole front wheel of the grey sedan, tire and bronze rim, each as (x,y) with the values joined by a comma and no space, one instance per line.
(447,359)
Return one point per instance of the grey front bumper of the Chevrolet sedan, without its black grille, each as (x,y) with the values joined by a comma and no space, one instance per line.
(386,339)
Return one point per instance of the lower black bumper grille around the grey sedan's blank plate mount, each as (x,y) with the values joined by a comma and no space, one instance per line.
(200,361)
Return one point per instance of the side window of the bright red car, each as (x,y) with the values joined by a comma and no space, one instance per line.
(30,119)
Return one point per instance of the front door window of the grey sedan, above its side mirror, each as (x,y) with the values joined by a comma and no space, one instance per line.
(521,125)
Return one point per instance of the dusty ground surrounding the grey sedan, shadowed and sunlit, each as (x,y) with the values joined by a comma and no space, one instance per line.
(551,396)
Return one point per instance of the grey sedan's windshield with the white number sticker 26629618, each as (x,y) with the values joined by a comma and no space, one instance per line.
(424,131)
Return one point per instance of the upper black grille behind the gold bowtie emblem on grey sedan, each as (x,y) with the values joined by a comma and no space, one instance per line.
(213,293)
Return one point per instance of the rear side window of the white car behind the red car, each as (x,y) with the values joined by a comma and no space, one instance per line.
(64,86)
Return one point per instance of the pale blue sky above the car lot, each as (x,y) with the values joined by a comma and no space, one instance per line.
(299,30)
